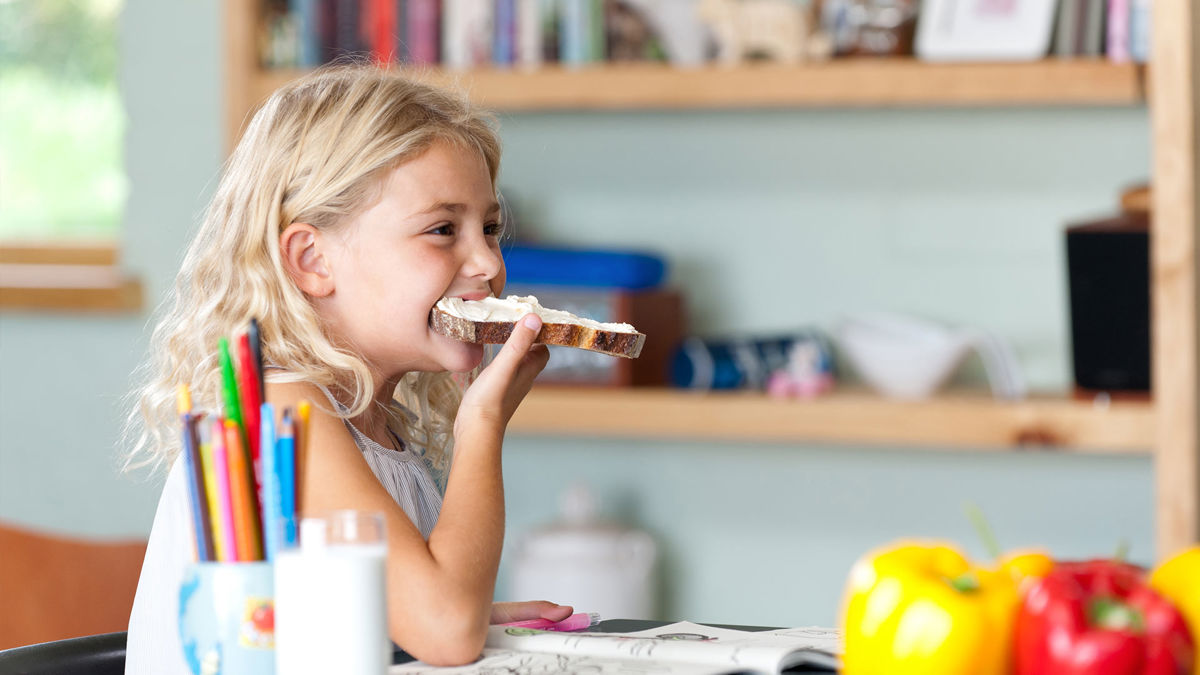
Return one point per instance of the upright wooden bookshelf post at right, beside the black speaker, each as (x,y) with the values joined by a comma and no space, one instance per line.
(1174,101)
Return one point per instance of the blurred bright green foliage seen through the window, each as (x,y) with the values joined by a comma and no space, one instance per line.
(62,123)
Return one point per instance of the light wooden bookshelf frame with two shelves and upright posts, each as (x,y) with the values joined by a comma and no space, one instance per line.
(1169,431)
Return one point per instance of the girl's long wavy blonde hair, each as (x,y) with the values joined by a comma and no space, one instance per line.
(315,153)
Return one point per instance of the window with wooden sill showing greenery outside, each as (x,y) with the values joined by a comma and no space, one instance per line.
(62,174)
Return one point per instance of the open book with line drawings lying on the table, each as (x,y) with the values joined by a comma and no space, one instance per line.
(681,649)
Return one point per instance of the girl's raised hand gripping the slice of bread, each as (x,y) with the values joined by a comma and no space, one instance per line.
(503,385)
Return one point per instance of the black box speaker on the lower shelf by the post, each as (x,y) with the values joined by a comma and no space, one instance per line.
(1108,267)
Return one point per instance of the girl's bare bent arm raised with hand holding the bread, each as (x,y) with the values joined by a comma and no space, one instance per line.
(440,593)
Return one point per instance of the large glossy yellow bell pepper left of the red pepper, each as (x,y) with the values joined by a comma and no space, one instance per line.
(923,608)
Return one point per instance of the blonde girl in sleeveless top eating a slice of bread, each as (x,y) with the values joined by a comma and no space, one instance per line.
(355,202)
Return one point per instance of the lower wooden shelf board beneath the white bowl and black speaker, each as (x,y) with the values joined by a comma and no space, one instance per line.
(953,421)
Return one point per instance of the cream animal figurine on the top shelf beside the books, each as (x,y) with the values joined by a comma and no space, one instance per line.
(782,31)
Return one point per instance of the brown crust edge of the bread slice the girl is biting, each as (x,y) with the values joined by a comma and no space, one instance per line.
(626,345)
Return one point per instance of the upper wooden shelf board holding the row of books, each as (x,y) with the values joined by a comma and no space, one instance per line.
(842,82)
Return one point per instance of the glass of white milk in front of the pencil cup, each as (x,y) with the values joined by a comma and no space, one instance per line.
(331,601)
